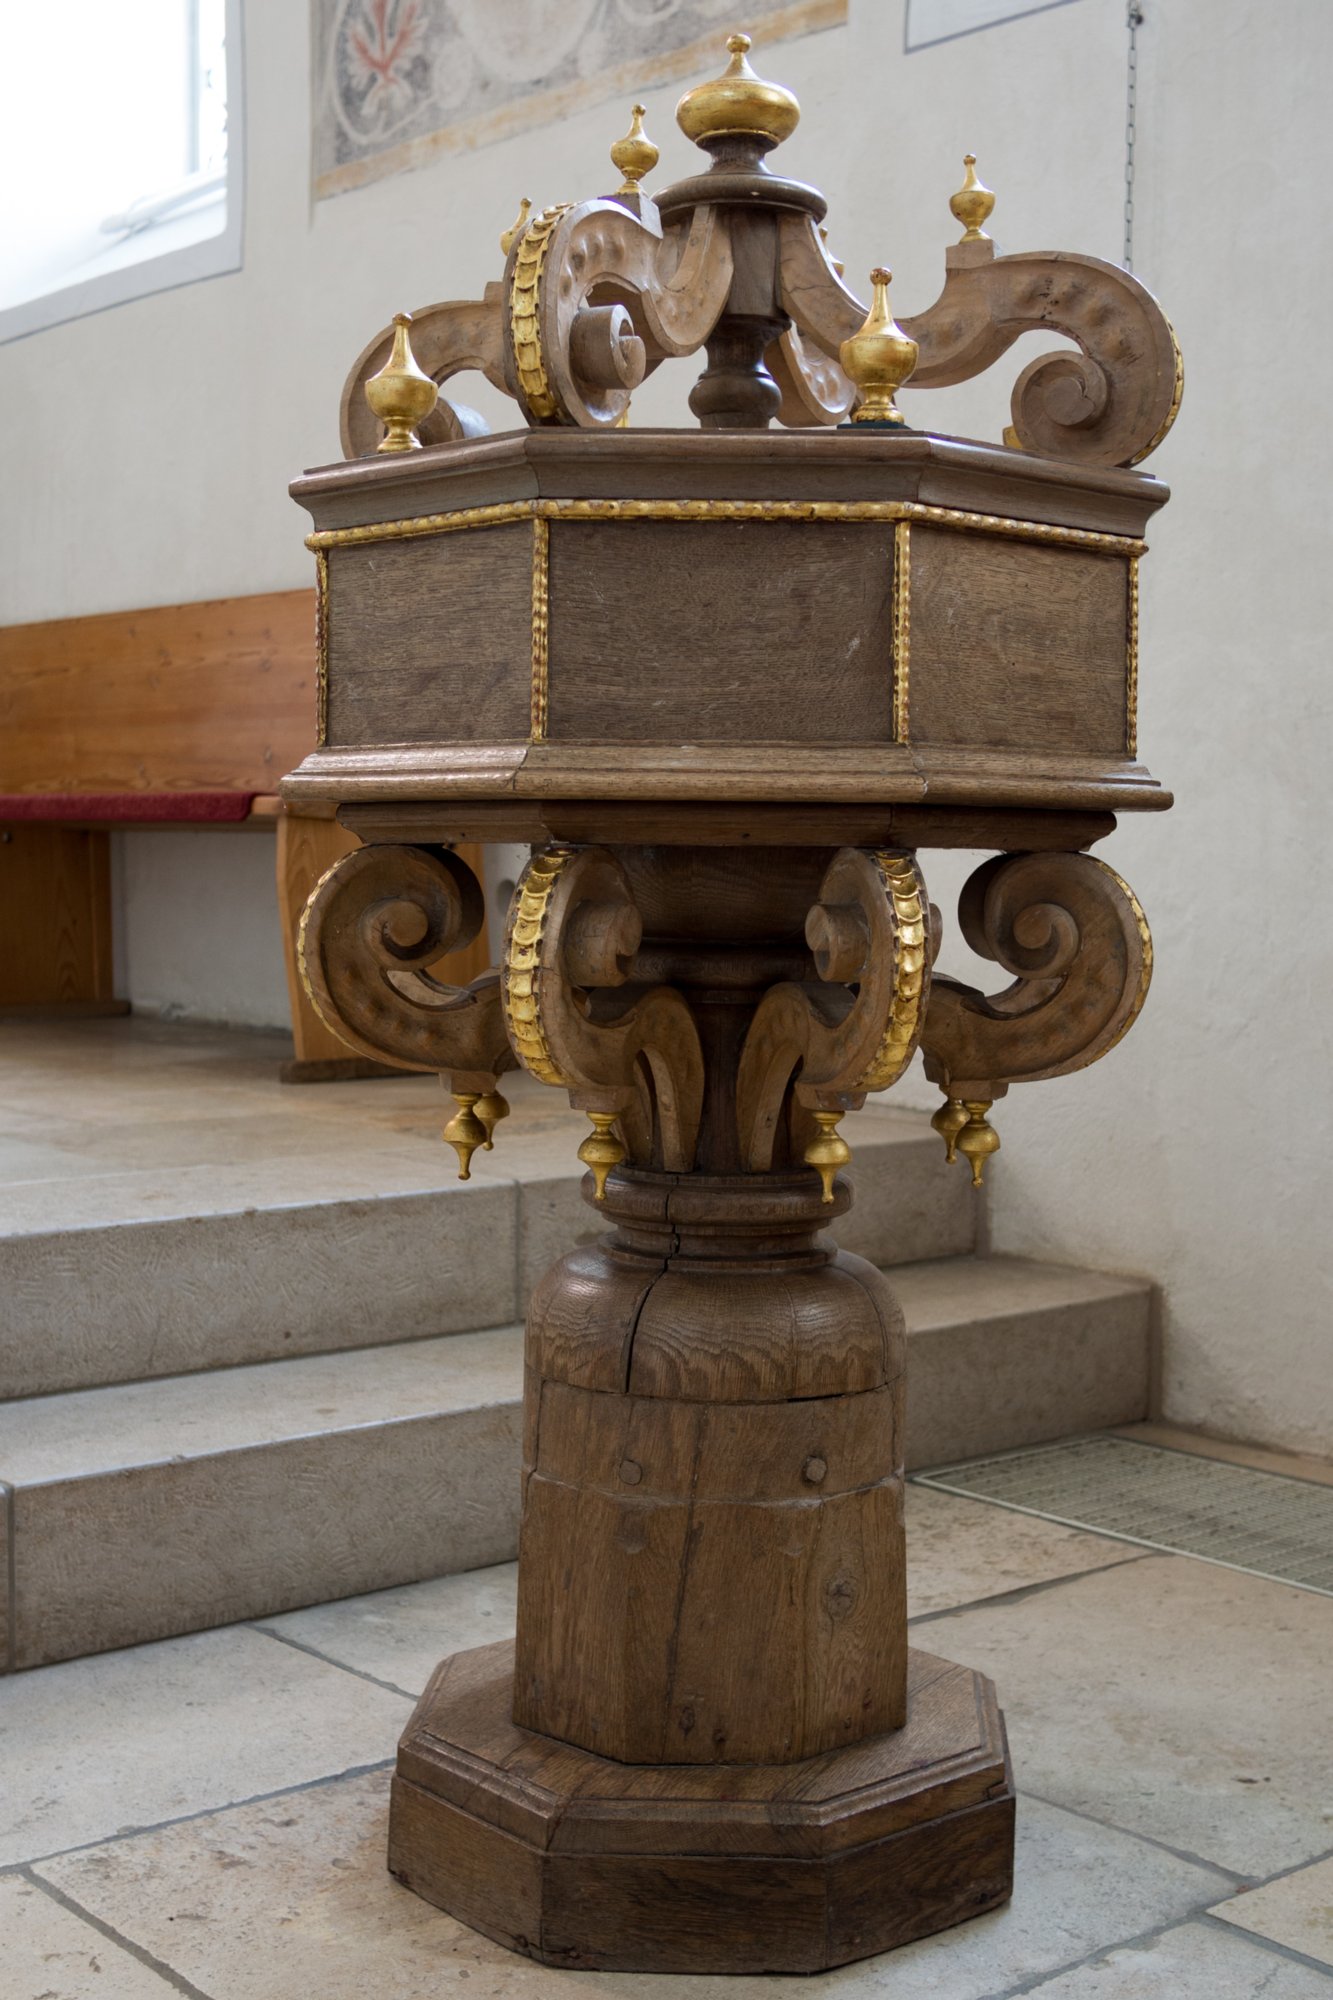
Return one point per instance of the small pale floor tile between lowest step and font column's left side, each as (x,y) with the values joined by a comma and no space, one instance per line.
(403,1635)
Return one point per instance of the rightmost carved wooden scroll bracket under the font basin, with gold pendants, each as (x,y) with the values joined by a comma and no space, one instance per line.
(1078,945)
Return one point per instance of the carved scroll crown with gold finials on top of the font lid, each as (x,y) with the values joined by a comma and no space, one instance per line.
(599,293)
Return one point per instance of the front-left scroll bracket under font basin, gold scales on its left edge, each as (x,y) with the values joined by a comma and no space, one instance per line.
(627,1055)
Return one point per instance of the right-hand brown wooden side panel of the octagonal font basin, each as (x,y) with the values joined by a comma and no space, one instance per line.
(1018,647)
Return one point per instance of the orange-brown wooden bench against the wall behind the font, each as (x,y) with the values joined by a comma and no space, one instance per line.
(177,717)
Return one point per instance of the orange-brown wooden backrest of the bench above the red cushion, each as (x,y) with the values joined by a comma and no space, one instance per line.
(213,697)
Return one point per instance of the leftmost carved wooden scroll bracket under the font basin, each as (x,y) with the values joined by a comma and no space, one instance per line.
(369,935)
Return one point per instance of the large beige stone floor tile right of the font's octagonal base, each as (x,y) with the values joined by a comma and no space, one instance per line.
(1174,1699)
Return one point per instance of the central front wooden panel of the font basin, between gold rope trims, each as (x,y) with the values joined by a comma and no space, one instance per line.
(722,631)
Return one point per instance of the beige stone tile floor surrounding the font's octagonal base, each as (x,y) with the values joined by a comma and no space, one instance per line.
(207,1815)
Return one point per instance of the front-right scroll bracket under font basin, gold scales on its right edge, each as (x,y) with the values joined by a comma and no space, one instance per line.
(856,1031)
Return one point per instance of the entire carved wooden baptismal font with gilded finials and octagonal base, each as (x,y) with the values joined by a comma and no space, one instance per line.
(730,685)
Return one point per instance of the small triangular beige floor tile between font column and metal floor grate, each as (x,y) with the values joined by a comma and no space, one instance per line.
(960,1551)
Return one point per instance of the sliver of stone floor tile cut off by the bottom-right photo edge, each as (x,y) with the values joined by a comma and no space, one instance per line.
(1192,1963)
